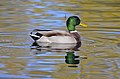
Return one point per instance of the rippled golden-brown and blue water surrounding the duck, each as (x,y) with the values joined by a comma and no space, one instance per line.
(100,41)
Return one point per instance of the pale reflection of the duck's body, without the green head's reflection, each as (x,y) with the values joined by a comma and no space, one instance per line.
(55,46)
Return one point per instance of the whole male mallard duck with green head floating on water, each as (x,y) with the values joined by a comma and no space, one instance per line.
(59,36)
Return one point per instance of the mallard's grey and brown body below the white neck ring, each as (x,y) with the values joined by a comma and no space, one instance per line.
(55,36)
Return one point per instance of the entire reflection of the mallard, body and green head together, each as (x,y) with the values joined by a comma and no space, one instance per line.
(69,49)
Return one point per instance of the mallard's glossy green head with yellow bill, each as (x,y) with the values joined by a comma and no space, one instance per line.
(73,21)
